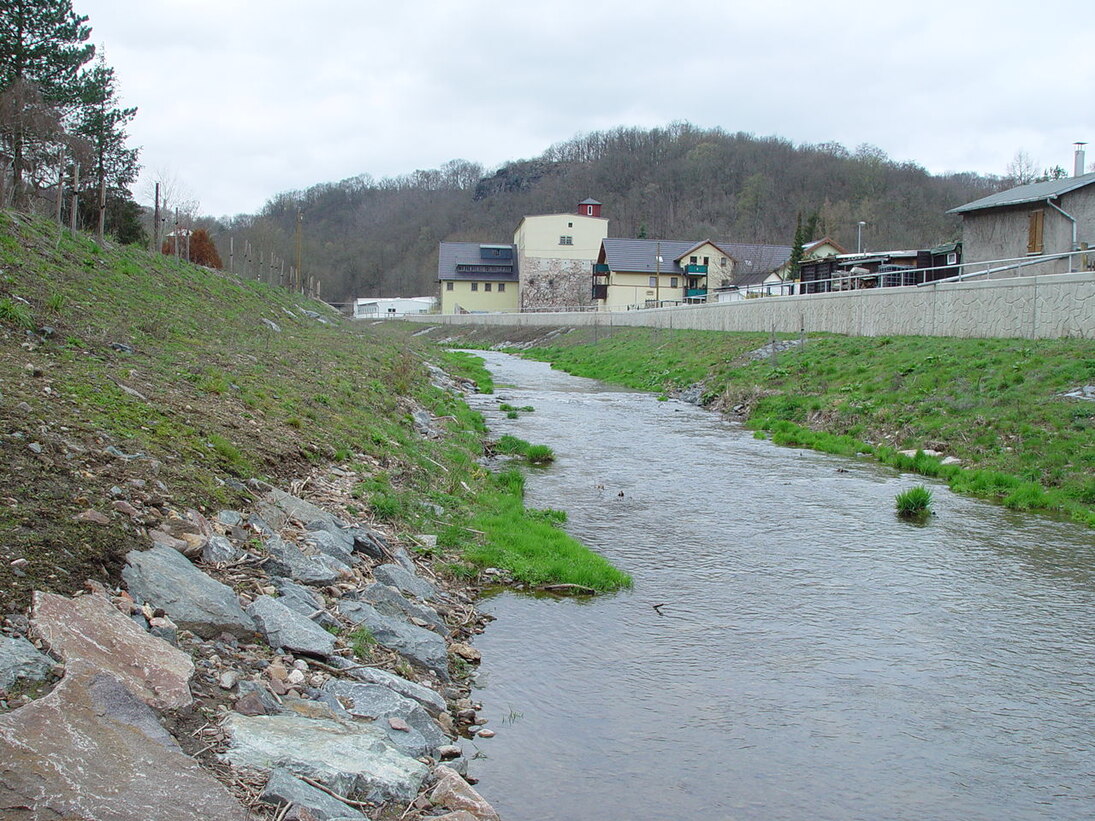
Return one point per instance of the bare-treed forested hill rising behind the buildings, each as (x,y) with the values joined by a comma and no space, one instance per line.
(364,237)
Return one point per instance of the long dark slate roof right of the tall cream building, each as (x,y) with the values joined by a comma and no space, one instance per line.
(753,262)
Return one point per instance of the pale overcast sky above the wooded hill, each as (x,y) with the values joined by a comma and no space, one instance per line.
(243,100)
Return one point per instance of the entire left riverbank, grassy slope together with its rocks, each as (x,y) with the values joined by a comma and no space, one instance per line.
(176,436)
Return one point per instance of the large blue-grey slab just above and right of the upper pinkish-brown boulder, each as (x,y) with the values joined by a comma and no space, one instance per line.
(165,579)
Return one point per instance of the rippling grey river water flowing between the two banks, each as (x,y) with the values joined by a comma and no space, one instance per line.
(815,657)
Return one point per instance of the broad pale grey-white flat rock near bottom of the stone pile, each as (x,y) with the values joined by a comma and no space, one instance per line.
(351,758)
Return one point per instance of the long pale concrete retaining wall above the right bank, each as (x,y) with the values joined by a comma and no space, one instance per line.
(1050,307)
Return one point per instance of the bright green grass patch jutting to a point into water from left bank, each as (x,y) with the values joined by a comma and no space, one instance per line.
(531,545)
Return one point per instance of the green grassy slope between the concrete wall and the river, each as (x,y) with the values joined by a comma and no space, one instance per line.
(996,404)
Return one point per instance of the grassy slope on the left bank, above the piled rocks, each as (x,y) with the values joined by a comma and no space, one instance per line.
(174,362)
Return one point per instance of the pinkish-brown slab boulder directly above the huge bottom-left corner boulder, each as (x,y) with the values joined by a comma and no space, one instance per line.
(91,631)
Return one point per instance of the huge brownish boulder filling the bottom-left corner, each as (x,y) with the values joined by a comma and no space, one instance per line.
(93,750)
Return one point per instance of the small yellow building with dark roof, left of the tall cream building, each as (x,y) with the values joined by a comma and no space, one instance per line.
(478,279)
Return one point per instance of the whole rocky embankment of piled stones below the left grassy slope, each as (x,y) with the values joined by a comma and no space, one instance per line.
(281,662)
